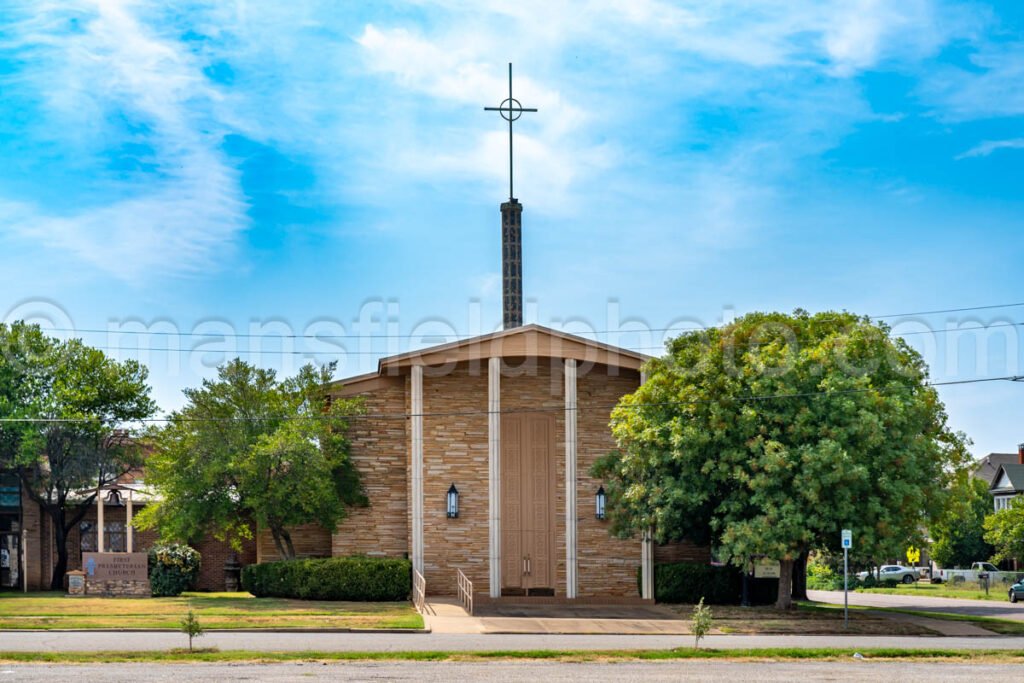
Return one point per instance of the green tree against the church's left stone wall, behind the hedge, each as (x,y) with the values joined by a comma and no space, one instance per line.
(248,448)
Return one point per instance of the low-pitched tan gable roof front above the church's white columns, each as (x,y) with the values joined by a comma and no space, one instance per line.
(528,341)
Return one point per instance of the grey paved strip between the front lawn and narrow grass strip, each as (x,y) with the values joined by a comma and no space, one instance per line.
(56,642)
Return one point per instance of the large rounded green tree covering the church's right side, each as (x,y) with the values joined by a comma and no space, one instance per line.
(772,435)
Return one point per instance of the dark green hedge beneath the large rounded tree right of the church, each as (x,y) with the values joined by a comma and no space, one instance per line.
(689,582)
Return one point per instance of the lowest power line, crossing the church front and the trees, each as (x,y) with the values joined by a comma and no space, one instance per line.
(560,409)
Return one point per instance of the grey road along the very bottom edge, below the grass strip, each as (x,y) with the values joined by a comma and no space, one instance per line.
(429,672)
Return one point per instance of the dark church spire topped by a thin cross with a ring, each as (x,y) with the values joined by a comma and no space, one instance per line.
(511,110)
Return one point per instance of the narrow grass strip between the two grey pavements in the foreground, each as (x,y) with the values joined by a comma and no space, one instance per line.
(215,656)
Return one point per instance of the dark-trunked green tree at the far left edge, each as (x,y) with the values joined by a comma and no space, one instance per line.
(65,406)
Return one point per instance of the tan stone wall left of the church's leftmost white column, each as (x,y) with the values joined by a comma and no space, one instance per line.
(380,452)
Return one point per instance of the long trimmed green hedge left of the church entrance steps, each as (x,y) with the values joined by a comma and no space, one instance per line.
(357,579)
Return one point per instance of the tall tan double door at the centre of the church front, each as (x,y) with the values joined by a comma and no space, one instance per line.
(528,504)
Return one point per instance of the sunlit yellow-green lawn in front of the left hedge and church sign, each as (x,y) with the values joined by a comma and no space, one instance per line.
(216,611)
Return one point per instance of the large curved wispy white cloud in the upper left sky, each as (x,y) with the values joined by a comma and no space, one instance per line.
(180,217)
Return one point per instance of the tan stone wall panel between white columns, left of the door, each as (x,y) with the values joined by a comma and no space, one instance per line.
(455,451)
